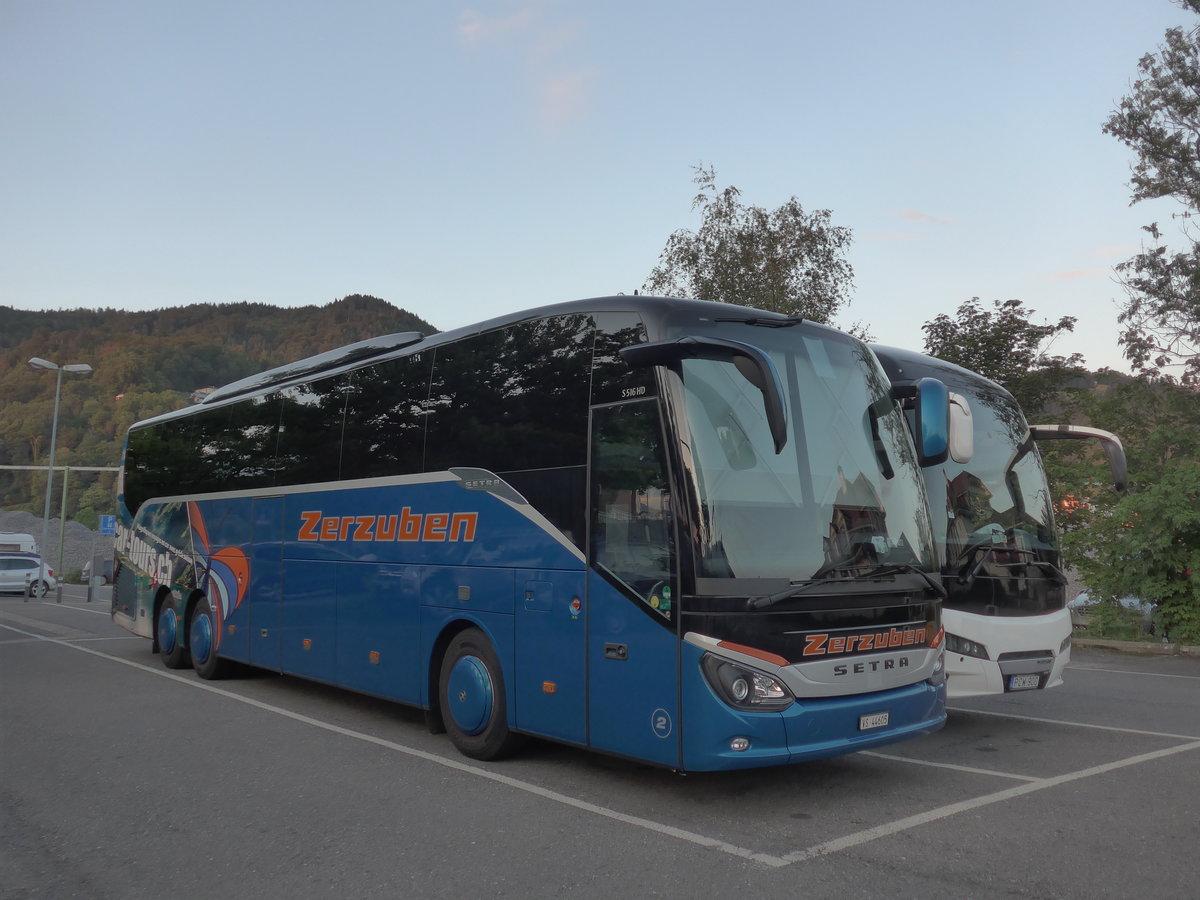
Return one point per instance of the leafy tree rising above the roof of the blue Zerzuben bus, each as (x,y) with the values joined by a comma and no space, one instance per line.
(787,260)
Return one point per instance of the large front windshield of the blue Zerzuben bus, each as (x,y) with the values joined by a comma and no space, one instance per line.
(843,499)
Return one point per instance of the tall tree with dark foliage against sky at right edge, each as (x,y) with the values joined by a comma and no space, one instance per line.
(1160,119)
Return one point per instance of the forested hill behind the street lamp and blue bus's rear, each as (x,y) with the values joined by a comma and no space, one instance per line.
(146,364)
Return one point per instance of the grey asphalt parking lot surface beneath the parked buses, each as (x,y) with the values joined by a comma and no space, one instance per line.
(1085,791)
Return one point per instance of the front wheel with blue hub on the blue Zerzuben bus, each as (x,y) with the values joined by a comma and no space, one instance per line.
(472,692)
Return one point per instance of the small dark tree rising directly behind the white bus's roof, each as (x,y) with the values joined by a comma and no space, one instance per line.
(1006,347)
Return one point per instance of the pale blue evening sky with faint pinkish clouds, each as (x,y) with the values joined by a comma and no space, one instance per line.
(467,160)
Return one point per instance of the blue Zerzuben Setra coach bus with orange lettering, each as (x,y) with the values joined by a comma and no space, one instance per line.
(680,532)
